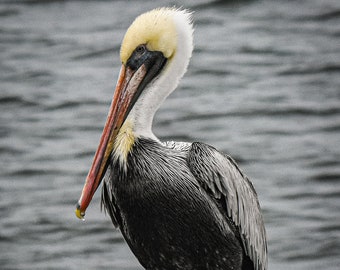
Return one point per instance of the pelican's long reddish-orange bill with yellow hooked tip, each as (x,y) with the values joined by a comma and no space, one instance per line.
(122,102)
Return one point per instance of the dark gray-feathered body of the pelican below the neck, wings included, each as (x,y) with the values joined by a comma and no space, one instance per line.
(185,206)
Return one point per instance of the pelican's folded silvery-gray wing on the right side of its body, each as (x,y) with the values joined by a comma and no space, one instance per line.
(220,176)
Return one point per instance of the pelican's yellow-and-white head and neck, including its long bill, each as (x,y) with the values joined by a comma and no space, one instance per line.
(155,53)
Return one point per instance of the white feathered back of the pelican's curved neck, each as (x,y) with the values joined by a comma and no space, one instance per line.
(141,116)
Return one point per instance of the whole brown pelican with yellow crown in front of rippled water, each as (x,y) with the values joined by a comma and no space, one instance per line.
(178,205)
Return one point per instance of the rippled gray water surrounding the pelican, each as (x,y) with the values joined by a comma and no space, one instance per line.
(263,86)
